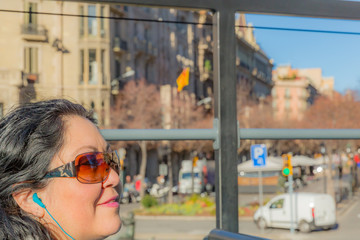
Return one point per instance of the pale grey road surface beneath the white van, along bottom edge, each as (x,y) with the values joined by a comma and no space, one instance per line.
(197,227)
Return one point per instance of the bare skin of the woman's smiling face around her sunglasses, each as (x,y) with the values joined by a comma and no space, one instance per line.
(85,211)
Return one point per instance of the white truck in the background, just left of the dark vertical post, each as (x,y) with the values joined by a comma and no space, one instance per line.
(189,176)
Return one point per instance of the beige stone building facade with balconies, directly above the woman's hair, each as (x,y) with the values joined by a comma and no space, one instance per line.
(51,56)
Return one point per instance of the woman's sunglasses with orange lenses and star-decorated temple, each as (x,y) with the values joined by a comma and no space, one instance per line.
(91,167)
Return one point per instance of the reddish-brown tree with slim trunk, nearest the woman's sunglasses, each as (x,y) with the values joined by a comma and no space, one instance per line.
(137,106)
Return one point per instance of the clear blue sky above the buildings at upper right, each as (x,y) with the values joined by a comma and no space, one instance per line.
(337,54)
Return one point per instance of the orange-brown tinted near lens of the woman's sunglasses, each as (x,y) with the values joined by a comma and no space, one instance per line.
(91,168)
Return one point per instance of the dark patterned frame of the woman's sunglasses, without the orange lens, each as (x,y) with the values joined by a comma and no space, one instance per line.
(70,169)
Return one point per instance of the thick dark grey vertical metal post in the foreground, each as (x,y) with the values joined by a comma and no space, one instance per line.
(225,111)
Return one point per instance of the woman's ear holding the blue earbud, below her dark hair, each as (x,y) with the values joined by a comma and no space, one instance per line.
(25,201)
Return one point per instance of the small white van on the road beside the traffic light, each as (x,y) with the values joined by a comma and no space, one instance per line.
(310,211)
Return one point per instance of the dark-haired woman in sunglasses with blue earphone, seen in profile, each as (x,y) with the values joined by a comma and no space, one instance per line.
(58,176)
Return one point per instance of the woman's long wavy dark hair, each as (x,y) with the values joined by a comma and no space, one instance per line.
(30,136)
